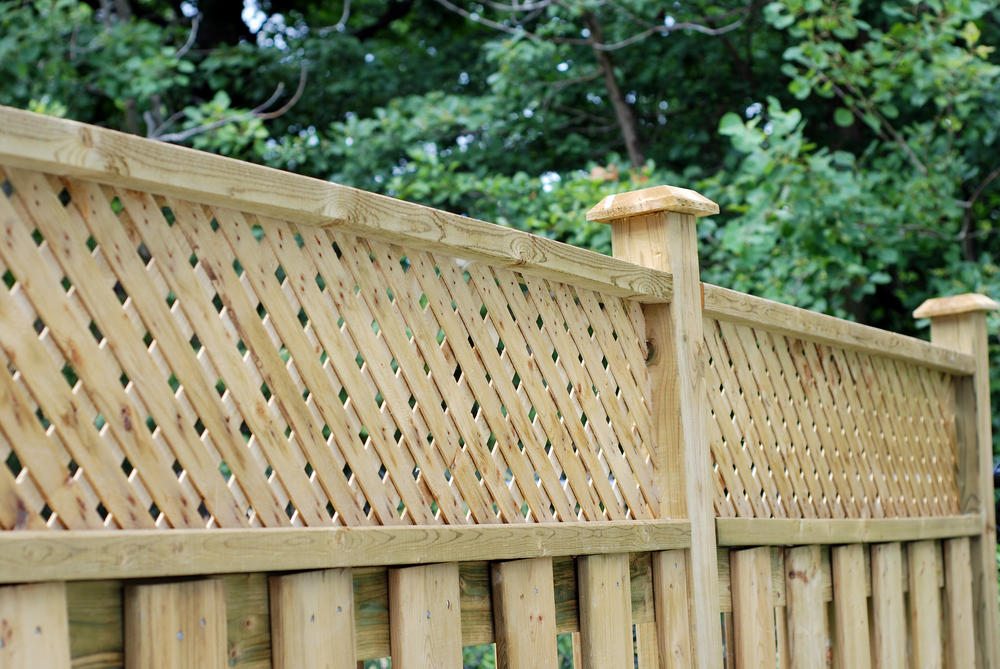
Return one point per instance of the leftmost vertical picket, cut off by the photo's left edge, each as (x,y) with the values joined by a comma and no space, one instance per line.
(34,630)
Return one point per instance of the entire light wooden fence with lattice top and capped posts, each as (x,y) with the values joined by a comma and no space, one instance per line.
(252,419)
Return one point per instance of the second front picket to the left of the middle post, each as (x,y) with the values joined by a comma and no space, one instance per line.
(605,610)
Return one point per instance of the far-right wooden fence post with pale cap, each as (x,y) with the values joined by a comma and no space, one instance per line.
(959,322)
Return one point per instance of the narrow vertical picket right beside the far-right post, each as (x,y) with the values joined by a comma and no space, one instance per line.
(960,627)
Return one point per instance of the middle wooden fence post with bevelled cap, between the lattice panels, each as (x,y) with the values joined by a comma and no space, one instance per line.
(656,228)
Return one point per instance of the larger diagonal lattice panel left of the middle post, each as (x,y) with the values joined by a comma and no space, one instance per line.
(168,364)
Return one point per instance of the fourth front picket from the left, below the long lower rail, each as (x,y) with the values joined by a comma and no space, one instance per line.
(425,619)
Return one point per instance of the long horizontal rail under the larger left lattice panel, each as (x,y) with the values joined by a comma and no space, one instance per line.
(75,556)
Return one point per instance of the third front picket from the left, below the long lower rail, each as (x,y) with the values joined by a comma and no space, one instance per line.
(312,620)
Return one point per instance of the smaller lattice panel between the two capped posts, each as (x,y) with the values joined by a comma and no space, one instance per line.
(802,430)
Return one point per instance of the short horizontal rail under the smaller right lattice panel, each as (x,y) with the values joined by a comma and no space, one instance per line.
(792,532)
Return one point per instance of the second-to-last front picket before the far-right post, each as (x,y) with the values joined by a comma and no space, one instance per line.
(925,606)
